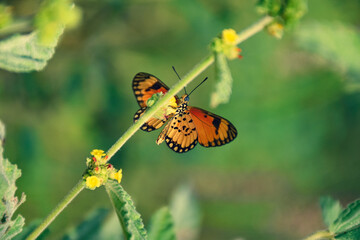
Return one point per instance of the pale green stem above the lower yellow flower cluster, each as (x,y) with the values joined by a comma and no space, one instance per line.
(199,68)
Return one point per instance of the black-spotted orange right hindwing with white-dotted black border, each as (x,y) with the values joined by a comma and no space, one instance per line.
(180,133)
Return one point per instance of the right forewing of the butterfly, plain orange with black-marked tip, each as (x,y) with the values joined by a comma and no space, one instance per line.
(212,130)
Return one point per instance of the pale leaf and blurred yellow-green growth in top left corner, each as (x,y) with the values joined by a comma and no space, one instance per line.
(30,52)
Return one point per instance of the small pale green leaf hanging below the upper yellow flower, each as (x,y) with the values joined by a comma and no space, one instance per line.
(224,80)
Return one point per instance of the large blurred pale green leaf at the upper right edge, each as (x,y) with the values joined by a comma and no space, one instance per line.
(337,43)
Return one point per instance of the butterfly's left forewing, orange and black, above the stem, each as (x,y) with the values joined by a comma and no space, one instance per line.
(145,85)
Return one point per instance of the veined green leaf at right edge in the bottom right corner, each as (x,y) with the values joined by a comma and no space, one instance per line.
(348,220)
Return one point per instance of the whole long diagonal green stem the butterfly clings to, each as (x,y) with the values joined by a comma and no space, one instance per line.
(199,68)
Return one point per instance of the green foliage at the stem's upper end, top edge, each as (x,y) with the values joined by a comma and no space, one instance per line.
(287,12)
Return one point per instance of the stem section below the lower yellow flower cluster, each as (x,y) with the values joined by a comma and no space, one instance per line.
(59,208)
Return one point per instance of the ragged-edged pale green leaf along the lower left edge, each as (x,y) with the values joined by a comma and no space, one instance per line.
(9,202)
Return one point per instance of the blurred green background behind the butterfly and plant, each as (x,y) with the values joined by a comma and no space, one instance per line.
(295,103)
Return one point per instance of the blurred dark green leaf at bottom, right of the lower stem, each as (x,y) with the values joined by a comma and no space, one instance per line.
(90,227)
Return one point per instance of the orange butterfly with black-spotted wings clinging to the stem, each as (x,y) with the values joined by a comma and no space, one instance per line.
(186,125)
